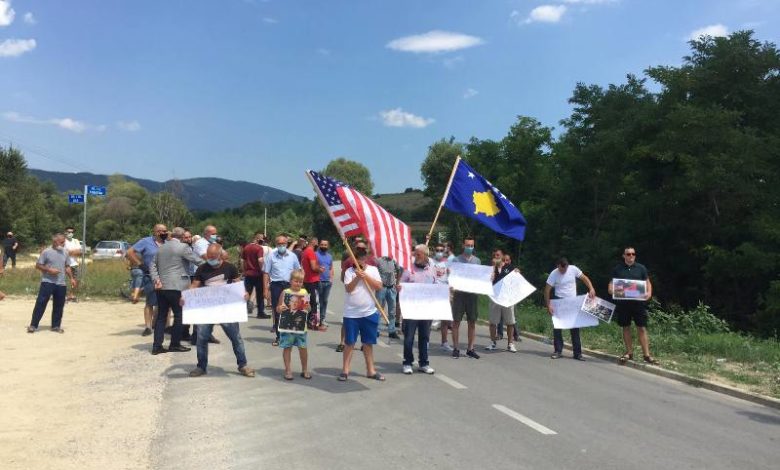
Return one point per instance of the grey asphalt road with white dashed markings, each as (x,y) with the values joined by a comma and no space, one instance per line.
(503,411)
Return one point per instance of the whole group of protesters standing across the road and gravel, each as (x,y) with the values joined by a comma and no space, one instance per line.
(169,262)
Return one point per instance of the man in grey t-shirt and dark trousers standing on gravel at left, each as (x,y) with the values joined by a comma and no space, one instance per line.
(53,265)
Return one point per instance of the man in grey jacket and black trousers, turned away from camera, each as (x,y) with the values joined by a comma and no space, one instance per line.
(169,271)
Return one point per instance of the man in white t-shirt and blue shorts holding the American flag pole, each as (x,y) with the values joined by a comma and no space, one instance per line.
(361,315)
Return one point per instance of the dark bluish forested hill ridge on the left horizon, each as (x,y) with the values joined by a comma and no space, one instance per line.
(200,194)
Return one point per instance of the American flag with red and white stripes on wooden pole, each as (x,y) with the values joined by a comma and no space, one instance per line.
(355,214)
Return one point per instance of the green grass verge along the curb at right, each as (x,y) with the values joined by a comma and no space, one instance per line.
(733,358)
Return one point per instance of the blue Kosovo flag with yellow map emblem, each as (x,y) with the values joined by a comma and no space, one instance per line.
(473,196)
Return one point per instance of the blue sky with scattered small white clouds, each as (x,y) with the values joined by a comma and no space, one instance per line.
(262,90)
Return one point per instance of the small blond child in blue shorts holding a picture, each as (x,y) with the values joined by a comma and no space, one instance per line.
(290,300)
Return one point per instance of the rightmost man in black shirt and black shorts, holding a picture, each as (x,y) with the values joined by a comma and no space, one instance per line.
(633,310)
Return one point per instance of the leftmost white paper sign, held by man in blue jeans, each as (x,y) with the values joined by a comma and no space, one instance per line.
(214,304)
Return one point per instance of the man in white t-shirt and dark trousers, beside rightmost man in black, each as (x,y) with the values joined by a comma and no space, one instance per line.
(564,280)
